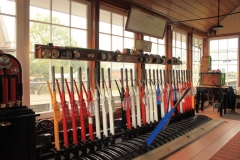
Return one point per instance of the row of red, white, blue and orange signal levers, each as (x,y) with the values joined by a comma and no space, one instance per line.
(144,102)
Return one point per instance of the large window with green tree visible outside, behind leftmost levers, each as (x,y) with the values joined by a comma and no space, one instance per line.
(63,23)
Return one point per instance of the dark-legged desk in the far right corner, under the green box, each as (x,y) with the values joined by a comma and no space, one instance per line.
(202,90)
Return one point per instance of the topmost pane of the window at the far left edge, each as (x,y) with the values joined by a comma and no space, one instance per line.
(8,7)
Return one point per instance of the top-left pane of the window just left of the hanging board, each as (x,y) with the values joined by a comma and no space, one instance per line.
(105,19)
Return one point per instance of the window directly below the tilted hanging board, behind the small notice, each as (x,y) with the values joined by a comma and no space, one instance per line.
(158,48)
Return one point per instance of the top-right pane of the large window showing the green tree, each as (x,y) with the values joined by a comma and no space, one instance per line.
(79,15)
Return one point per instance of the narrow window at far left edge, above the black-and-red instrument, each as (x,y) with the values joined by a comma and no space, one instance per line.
(8,26)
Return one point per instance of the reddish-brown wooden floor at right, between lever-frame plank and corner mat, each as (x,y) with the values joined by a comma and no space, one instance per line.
(206,146)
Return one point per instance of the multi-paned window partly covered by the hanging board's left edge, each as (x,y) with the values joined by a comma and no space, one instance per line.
(112,36)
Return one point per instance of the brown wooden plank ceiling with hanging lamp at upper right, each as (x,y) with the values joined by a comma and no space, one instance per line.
(182,10)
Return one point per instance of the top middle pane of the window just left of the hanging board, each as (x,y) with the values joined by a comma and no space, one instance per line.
(117,24)
